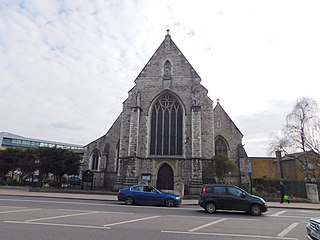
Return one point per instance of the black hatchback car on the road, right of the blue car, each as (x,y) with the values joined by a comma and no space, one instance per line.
(229,197)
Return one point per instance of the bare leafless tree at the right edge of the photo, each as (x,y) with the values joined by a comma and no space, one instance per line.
(301,134)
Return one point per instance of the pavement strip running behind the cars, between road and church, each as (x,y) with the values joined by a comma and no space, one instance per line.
(26,192)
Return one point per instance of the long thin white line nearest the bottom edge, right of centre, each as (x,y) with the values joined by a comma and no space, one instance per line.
(230,235)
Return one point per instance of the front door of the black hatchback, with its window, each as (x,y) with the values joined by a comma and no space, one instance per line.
(237,199)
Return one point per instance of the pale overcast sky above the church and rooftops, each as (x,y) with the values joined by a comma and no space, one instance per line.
(67,66)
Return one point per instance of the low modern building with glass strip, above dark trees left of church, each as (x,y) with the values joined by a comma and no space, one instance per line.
(12,140)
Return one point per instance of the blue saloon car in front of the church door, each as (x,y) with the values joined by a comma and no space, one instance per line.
(144,194)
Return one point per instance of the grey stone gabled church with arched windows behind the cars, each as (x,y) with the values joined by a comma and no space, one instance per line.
(167,132)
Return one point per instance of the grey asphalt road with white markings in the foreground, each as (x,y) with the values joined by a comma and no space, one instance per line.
(51,219)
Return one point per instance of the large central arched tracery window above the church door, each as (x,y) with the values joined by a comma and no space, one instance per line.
(166,126)
